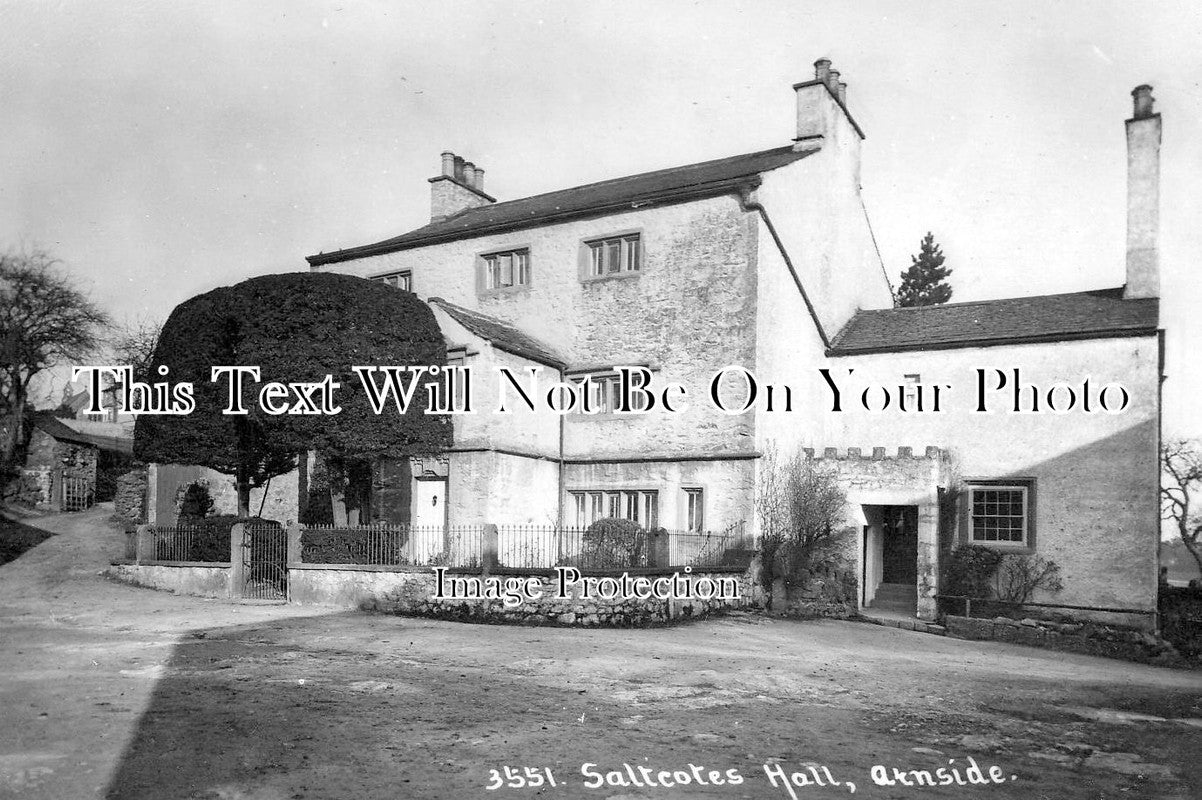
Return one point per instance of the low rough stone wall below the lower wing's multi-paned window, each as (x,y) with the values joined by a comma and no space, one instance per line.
(1087,638)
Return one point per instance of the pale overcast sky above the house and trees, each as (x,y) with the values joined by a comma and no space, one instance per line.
(164,150)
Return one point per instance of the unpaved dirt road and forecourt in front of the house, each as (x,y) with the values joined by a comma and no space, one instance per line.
(117,692)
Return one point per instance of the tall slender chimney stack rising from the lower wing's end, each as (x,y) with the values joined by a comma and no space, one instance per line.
(1144,199)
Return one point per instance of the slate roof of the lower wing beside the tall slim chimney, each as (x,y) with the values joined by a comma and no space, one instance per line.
(1049,318)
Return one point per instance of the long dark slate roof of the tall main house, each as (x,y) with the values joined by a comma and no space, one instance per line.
(707,178)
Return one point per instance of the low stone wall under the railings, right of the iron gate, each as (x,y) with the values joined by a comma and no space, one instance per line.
(412,593)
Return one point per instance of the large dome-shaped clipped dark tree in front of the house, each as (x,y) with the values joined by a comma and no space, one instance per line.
(296,327)
